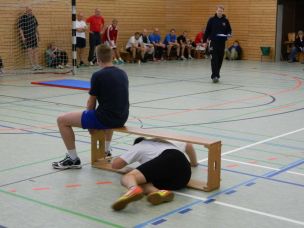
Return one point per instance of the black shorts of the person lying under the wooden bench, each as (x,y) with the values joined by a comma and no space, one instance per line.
(171,170)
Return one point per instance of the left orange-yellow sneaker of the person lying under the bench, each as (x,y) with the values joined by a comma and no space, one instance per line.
(133,194)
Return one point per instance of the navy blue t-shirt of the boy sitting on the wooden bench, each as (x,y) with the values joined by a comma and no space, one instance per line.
(111,87)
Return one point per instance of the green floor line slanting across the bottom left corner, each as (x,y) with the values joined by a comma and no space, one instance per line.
(78,214)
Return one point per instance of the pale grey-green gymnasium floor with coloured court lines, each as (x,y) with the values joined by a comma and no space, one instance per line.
(256,110)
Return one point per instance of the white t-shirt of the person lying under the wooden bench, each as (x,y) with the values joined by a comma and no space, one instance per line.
(146,150)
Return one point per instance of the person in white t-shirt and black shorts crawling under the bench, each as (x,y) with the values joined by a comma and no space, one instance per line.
(163,165)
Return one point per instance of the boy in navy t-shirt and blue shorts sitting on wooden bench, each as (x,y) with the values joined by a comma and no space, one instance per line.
(110,88)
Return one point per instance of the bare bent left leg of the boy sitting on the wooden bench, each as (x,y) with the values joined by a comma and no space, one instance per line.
(65,123)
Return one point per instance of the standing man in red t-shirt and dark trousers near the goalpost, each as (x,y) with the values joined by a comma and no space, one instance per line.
(96,22)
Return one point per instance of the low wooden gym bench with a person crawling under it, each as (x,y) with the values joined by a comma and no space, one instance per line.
(214,154)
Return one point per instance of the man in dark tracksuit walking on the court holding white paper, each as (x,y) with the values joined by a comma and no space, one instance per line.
(217,31)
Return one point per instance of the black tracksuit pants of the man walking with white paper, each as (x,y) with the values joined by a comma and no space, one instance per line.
(217,49)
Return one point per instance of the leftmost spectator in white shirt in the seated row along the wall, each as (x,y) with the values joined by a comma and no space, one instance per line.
(136,47)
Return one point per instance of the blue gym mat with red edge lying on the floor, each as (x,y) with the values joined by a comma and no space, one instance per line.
(66,83)
